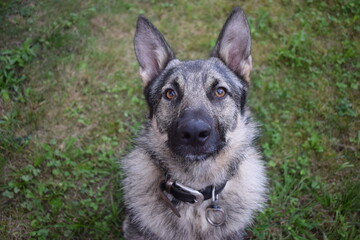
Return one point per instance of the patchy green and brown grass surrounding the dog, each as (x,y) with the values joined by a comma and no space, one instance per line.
(71,102)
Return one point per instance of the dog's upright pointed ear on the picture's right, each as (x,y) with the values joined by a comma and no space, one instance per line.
(233,45)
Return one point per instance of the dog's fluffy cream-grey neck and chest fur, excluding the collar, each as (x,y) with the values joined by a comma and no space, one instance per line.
(243,195)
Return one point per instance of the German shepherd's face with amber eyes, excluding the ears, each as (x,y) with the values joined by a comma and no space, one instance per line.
(196,103)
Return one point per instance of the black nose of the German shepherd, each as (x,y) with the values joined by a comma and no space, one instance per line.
(194,132)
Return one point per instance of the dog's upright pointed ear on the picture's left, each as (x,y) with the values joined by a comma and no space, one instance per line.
(151,50)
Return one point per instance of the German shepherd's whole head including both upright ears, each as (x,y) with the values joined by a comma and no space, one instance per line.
(195,104)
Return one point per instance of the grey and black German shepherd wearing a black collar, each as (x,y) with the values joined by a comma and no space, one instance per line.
(195,172)
